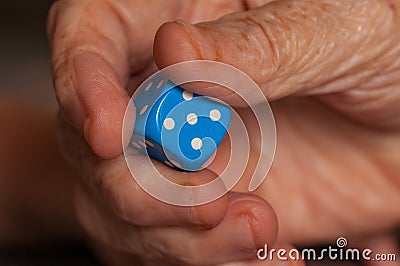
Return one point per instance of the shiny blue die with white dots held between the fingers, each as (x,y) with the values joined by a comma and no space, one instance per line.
(177,127)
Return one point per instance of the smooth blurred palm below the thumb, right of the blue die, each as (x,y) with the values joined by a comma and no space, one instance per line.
(330,175)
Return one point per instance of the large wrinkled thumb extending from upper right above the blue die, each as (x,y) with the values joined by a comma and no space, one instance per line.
(287,47)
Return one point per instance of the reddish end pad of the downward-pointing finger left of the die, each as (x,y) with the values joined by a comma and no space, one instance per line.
(104,101)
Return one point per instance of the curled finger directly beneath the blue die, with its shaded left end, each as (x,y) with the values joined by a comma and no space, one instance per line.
(113,183)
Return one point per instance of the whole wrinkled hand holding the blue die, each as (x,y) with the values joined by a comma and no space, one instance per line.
(332,72)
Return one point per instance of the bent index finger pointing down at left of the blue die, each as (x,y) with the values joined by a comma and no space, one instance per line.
(90,66)
